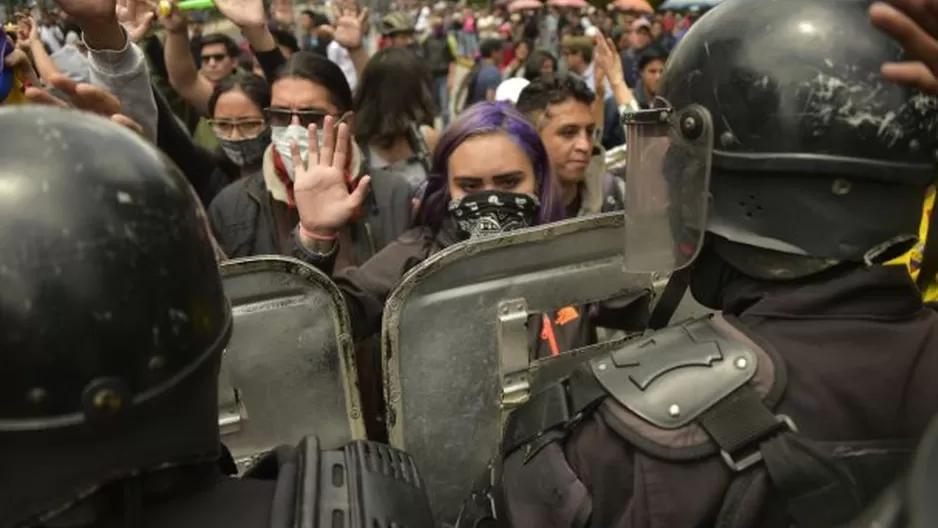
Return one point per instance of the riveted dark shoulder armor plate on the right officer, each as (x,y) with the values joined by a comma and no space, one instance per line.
(669,378)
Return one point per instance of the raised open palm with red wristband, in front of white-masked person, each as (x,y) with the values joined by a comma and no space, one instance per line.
(320,190)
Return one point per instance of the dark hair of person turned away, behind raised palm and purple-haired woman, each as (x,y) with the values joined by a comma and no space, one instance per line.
(381,113)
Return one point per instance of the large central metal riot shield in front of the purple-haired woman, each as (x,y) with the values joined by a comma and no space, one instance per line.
(455,339)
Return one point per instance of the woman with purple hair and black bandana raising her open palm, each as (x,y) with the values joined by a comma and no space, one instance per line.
(490,174)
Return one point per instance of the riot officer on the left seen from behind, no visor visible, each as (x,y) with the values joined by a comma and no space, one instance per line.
(114,322)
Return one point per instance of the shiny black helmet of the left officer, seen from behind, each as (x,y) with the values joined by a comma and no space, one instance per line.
(113,315)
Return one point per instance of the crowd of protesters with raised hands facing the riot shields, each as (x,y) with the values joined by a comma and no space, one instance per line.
(243,102)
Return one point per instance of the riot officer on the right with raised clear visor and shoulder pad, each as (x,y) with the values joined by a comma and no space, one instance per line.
(777,171)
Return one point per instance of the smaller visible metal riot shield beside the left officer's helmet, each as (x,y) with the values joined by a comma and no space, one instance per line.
(289,370)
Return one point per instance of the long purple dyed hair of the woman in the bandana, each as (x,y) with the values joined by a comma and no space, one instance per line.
(489,118)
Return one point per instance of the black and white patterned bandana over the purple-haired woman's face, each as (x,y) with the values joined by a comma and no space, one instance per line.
(492,212)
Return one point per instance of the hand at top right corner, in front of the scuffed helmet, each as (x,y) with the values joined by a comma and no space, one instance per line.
(914,23)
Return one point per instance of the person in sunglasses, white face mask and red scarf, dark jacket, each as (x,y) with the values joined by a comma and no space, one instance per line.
(256,215)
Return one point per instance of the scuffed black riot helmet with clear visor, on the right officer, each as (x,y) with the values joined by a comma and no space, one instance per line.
(775,129)
